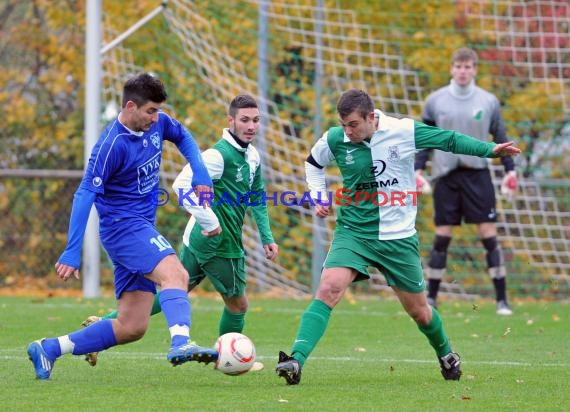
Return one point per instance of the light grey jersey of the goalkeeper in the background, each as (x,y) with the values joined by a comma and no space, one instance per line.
(476,113)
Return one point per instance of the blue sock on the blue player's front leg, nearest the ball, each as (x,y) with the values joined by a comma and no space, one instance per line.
(176,308)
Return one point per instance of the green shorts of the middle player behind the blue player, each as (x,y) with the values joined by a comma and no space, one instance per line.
(226,274)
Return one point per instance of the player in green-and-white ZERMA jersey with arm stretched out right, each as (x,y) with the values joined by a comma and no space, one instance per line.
(376,219)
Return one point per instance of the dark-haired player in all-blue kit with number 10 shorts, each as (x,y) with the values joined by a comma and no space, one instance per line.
(121,180)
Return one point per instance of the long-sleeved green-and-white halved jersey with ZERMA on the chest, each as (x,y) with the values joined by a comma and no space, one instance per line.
(378,199)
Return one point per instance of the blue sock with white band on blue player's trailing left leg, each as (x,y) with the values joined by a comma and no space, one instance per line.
(94,338)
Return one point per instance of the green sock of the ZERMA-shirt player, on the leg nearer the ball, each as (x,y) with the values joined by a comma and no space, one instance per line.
(313,325)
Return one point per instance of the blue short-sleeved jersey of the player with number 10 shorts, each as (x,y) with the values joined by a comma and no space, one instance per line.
(124,166)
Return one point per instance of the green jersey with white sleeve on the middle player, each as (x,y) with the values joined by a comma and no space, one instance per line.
(238,183)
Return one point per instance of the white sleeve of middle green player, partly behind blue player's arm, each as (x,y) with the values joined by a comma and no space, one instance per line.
(187,198)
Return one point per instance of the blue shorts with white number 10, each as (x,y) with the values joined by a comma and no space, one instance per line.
(135,247)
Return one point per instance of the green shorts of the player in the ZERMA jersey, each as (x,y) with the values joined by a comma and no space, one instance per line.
(398,259)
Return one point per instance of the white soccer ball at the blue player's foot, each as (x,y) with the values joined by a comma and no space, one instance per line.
(236,354)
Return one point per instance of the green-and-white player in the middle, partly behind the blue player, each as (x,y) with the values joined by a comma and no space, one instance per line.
(212,245)
